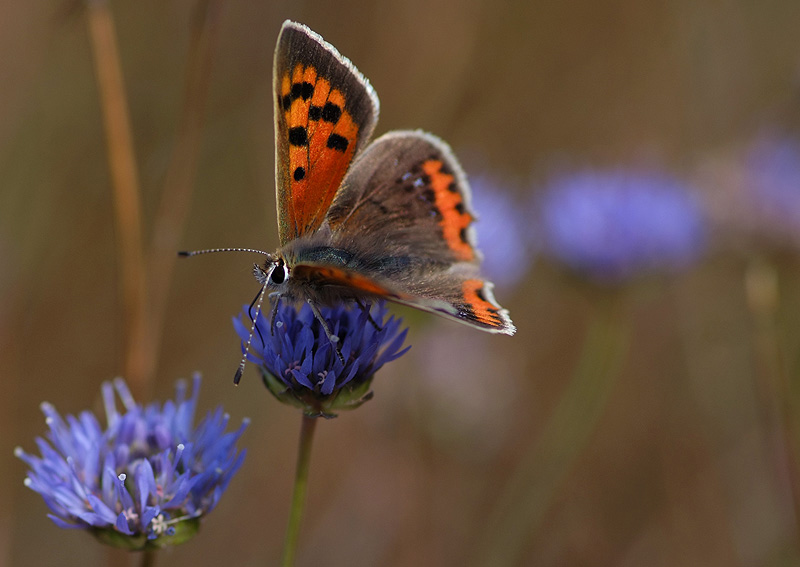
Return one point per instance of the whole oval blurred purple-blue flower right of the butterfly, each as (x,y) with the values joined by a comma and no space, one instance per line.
(613,225)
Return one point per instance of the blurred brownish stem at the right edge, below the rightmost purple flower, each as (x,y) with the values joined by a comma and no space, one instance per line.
(761,287)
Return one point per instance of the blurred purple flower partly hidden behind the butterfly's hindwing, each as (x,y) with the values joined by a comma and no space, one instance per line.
(503,231)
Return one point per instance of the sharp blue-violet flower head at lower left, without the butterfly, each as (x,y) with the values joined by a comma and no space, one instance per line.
(145,480)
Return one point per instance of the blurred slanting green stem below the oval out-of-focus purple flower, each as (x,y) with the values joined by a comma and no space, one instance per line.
(521,508)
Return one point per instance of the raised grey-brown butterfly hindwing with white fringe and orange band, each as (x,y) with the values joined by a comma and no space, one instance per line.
(407,193)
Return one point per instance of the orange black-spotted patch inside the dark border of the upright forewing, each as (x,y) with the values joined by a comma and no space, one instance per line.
(322,141)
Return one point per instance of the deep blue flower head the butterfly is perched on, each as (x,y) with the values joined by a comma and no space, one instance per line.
(300,366)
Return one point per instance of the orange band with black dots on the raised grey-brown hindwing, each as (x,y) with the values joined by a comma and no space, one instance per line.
(455,219)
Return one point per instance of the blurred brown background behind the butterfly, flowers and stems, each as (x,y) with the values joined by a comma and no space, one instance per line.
(683,467)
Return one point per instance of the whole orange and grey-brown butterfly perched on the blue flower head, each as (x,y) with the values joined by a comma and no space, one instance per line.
(389,219)
